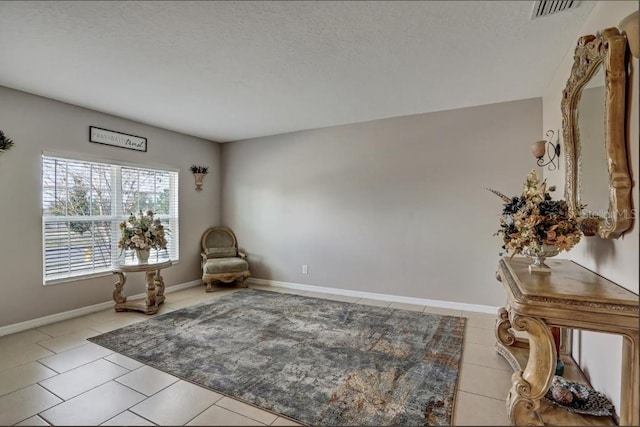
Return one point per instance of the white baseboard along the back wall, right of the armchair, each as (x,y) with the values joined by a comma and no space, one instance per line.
(384,297)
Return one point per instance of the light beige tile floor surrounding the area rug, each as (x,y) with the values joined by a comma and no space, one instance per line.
(53,376)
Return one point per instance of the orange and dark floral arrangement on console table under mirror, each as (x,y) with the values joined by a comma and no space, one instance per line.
(534,225)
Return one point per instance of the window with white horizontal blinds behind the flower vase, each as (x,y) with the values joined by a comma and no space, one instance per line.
(83,204)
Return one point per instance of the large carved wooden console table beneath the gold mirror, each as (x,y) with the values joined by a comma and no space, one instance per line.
(570,296)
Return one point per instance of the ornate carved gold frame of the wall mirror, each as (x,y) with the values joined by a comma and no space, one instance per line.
(607,49)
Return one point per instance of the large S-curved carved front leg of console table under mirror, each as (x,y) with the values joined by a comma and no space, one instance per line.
(530,385)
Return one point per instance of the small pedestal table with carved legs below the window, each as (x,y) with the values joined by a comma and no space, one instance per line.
(154,282)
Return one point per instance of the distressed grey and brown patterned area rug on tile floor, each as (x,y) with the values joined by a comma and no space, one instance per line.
(316,361)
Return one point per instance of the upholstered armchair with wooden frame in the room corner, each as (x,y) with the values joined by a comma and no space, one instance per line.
(221,259)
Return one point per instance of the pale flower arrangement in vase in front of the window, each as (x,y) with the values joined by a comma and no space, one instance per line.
(142,232)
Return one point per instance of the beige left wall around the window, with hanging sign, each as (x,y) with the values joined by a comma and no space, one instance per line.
(39,124)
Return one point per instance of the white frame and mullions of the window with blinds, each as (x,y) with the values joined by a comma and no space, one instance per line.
(171,220)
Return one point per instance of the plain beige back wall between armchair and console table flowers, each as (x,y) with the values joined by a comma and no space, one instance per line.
(392,206)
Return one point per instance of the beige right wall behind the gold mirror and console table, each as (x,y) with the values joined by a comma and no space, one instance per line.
(616,260)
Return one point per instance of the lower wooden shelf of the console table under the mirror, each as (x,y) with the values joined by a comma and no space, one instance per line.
(552,415)
